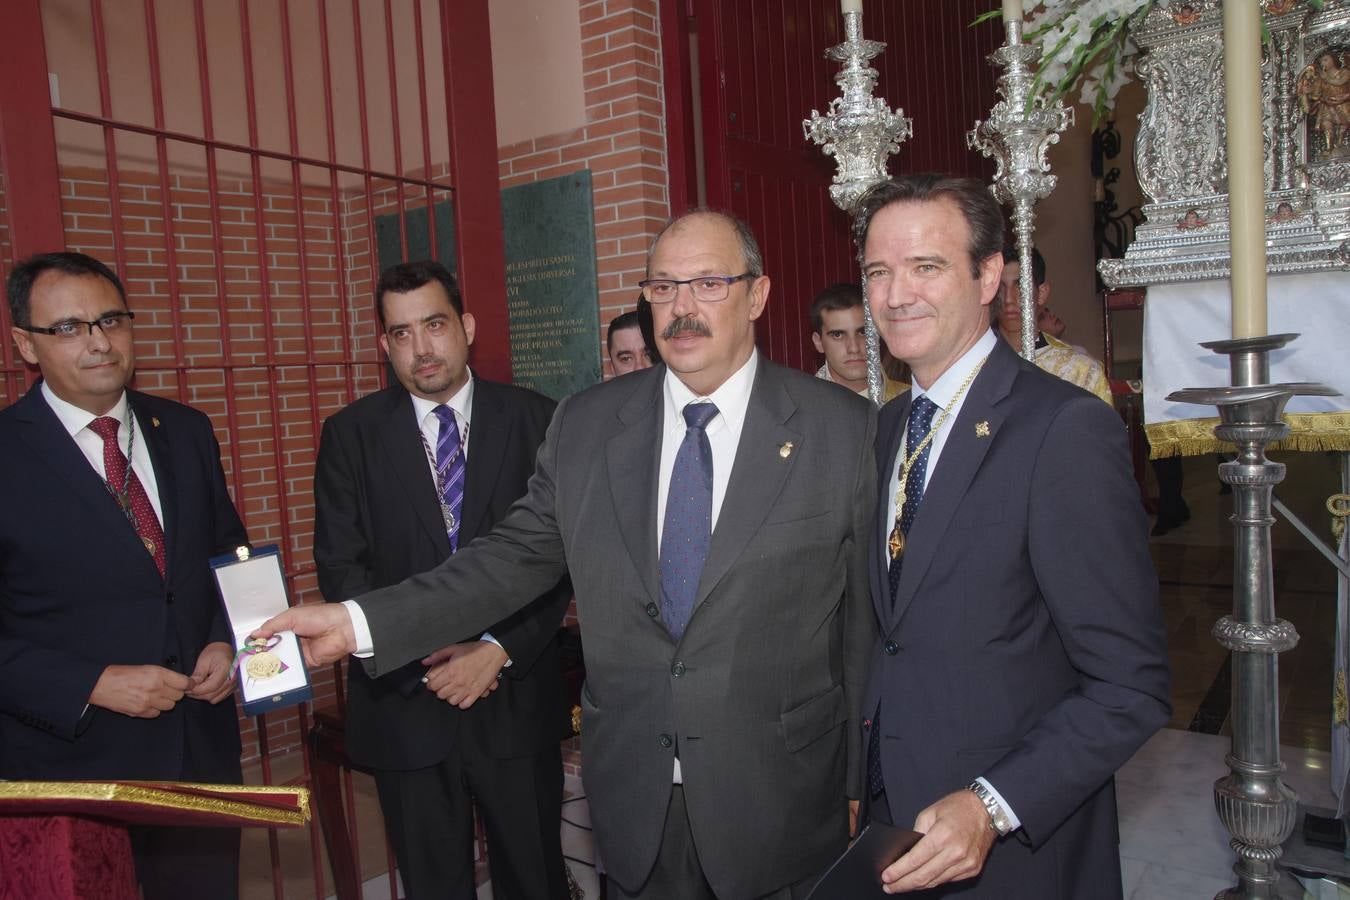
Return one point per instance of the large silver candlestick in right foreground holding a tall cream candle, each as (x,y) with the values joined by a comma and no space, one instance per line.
(1255,805)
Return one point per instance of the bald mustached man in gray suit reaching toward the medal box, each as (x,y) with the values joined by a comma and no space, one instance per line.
(712,515)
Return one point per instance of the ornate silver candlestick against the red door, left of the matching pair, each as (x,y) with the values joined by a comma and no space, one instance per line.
(861,132)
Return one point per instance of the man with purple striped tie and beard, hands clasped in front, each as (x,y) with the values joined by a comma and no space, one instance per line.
(406,478)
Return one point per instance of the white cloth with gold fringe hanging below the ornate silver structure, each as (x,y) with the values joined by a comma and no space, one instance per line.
(1178,318)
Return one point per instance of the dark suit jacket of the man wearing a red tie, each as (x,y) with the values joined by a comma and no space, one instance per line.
(79,593)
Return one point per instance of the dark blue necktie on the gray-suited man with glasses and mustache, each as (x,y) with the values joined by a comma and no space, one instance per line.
(689,520)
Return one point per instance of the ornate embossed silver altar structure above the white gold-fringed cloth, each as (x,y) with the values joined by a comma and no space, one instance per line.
(1182,156)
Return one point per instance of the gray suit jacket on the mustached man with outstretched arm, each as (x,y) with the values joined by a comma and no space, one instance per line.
(761,697)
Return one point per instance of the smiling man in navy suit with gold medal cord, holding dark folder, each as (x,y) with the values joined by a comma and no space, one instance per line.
(1023,656)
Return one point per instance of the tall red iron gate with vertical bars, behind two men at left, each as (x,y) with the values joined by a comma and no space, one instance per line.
(230,161)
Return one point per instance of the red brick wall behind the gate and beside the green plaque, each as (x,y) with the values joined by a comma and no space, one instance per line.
(269,366)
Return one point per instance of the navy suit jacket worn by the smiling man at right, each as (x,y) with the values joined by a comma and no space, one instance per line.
(1025,643)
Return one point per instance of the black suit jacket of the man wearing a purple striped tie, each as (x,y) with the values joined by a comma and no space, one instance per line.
(377,522)
